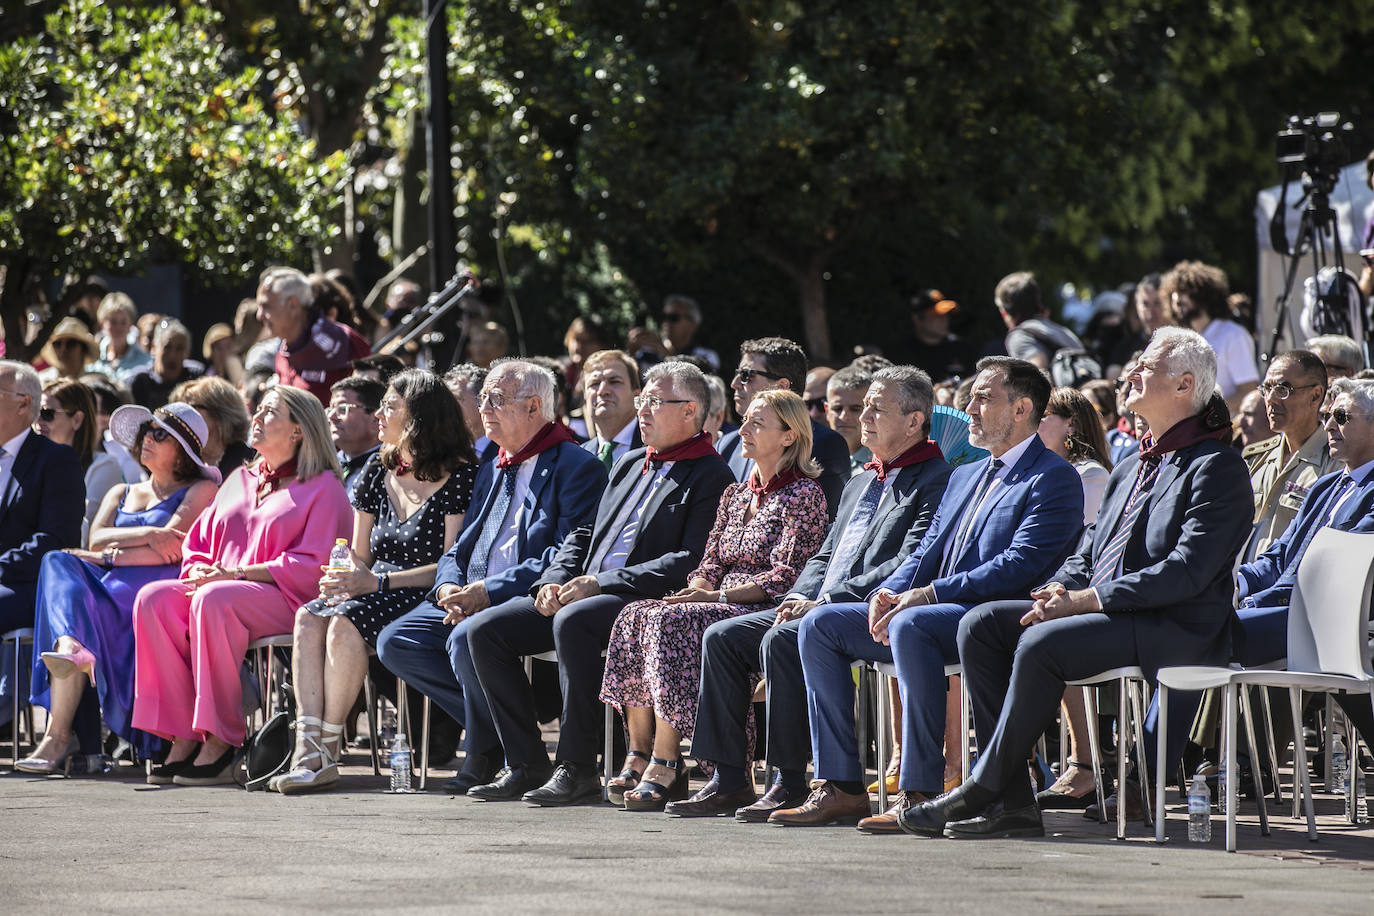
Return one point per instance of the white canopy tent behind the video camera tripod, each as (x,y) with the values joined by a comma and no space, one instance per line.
(1354,205)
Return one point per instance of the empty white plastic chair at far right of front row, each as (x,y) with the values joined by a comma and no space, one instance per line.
(1328,653)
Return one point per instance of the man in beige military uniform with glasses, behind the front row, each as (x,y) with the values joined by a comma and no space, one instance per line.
(1284,468)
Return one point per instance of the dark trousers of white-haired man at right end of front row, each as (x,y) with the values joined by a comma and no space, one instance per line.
(1016,678)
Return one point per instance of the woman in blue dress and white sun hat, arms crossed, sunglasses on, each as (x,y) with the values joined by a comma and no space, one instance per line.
(86,598)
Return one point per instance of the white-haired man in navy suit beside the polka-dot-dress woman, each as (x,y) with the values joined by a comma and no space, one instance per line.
(542,487)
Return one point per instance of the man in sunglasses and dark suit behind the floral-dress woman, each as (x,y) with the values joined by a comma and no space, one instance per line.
(778,363)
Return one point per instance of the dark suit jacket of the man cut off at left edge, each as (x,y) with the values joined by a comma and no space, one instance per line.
(41,510)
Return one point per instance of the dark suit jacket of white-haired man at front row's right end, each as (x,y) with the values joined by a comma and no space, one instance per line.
(1175,577)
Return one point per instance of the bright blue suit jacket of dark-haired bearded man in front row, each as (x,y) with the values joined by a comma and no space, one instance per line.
(1026,529)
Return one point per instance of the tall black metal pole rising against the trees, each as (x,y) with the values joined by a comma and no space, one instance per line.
(438,146)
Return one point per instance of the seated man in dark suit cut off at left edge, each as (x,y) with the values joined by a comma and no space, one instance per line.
(42,505)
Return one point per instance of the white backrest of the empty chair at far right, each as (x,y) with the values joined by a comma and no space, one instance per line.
(1329,613)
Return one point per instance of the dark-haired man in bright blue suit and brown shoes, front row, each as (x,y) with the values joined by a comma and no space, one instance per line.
(1004,525)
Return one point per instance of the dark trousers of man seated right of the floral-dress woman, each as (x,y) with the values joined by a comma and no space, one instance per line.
(732,653)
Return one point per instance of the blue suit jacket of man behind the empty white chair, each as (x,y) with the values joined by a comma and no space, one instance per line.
(1265,579)
